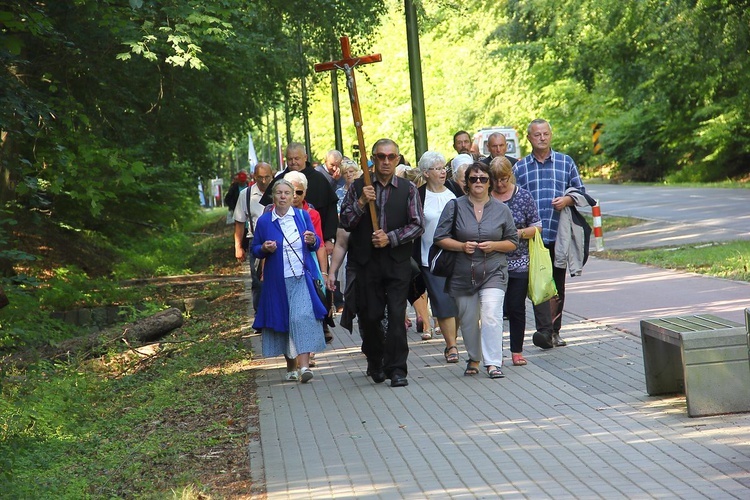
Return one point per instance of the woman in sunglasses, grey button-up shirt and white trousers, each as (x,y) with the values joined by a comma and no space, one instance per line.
(484,234)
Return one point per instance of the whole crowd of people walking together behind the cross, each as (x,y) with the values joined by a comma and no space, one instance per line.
(320,240)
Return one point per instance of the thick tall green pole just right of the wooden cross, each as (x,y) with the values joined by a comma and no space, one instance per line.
(419,122)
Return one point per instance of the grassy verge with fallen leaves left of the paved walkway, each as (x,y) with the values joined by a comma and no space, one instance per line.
(166,420)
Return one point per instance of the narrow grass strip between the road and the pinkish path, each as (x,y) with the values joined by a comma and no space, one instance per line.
(729,260)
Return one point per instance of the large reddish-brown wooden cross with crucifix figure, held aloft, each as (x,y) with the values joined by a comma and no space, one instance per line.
(348,63)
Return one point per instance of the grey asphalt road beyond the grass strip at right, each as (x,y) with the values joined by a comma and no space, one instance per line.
(674,215)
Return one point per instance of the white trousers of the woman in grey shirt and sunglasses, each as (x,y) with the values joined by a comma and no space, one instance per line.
(481,318)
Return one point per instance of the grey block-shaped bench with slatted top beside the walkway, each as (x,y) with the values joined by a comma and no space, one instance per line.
(704,357)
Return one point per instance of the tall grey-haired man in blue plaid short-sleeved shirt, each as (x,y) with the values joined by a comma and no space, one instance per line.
(547,174)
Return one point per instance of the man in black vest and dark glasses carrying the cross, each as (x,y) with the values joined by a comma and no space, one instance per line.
(381,260)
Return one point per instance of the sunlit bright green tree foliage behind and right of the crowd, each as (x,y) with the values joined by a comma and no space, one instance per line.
(665,79)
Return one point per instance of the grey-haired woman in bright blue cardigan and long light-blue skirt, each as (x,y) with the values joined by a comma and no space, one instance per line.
(285,239)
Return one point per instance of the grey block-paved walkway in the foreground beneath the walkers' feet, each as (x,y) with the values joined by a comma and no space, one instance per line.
(576,422)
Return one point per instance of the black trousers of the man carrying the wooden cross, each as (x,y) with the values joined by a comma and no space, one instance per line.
(382,283)
